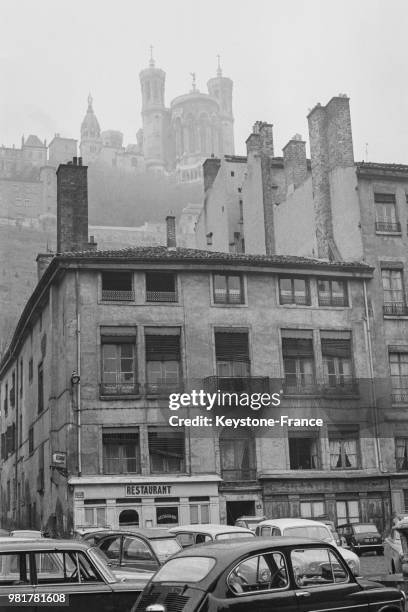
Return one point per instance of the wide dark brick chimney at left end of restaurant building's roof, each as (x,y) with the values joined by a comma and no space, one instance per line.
(72,207)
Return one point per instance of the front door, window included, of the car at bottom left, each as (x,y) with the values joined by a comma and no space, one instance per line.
(68,577)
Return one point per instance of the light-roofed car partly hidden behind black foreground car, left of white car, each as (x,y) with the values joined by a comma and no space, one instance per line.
(189,535)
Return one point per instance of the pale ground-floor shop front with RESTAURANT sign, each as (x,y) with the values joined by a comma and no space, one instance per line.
(114,501)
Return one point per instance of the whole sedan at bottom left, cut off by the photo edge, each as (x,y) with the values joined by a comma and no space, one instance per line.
(61,572)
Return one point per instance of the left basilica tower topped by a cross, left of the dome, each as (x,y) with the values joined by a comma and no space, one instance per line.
(154,116)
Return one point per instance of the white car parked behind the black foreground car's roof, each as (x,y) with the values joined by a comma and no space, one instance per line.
(305,528)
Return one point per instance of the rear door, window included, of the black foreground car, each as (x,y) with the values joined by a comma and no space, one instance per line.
(259,582)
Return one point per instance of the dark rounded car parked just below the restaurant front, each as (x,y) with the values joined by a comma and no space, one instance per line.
(141,549)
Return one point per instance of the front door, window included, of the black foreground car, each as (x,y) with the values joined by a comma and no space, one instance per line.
(324,582)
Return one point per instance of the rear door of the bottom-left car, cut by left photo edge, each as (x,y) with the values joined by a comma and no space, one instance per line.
(15,582)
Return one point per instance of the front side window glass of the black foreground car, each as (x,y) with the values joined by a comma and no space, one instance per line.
(317,566)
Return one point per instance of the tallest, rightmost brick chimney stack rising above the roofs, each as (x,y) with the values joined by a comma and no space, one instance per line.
(331,147)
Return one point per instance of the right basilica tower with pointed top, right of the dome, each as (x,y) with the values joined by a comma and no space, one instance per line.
(220,88)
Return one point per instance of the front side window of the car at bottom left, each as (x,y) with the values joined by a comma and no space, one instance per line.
(64,567)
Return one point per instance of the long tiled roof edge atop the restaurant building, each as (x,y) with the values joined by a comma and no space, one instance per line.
(162,253)
